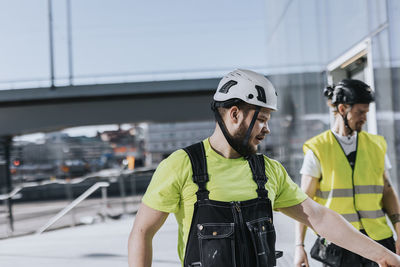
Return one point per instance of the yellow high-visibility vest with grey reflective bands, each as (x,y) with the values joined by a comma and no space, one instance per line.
(356,195)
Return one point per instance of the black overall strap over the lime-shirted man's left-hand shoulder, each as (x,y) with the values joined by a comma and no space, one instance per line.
(198,160)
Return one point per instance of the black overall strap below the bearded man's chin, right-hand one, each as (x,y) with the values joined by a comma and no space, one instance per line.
(257,165)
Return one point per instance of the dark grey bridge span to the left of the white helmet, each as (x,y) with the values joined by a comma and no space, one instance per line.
(32,110)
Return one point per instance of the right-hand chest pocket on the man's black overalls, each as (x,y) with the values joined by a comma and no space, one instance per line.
(263,236)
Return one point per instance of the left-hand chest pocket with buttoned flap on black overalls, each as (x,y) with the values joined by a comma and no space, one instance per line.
(216,244)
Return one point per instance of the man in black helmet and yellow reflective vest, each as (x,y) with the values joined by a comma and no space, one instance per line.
(345,169)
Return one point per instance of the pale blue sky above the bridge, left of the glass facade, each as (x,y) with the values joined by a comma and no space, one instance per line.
(121,38)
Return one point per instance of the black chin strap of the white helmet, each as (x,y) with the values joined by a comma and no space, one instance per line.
(241,148)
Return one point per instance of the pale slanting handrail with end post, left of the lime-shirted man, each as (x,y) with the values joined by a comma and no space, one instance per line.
(73,204)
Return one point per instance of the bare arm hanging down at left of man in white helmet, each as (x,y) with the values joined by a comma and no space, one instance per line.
(147,222)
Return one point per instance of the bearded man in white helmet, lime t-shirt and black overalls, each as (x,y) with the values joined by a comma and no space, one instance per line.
(222,193)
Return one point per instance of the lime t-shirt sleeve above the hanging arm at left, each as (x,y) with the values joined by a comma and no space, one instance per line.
(164,190)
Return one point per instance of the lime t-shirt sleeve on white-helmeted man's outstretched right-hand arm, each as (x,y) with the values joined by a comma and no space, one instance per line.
(288,192)
